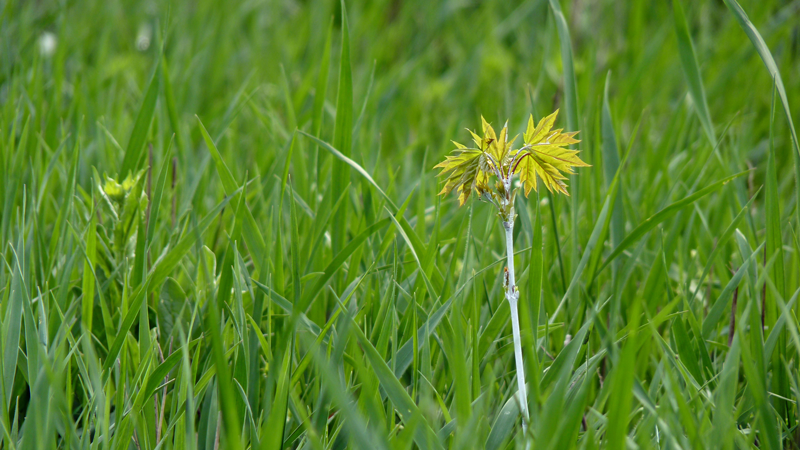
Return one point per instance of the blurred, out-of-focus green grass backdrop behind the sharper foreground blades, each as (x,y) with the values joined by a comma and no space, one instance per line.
(437,65)
